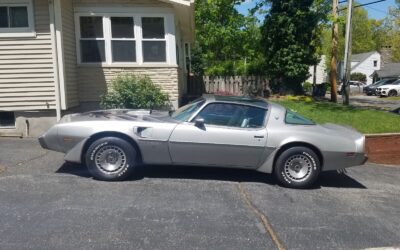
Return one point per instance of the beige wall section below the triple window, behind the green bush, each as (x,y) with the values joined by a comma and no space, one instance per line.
(93,80)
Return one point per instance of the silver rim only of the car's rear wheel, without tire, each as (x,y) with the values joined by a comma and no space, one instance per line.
(298,168)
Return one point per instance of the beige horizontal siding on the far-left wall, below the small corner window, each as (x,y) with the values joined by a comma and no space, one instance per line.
(26,67)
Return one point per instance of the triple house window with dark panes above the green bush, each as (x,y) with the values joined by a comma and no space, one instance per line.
(115,39)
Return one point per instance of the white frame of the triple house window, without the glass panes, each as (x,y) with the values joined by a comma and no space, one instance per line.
(137,13)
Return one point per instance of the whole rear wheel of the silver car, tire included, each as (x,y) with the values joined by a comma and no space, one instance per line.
(297,167)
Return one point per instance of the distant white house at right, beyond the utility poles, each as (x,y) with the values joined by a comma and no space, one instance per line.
(366,63)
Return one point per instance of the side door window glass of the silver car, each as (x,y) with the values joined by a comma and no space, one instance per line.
(233,115)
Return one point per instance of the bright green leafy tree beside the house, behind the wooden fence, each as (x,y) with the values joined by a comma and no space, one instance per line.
(227,42)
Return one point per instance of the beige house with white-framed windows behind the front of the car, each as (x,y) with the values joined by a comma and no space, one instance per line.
(57,56)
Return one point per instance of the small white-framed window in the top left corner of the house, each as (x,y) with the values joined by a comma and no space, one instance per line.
(16,18)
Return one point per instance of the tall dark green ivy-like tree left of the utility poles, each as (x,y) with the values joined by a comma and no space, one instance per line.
(290,38)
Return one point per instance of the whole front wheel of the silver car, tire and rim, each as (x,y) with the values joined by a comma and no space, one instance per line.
(111,159)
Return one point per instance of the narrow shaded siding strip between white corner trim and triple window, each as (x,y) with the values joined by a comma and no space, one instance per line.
(69,52)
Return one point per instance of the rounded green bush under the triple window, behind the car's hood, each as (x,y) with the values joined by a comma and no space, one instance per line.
(134,92)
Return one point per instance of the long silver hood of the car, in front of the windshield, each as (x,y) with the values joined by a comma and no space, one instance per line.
(119,114)
